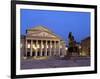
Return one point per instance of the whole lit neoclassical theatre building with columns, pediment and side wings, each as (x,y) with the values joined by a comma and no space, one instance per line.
(40,41)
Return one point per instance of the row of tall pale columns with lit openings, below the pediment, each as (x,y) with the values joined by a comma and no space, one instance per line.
(47,47)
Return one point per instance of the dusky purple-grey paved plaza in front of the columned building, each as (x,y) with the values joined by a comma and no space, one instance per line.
(55,63)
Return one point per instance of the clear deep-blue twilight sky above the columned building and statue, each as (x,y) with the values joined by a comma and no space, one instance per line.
(60,22)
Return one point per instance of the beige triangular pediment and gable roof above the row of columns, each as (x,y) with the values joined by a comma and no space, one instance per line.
(41,31)
